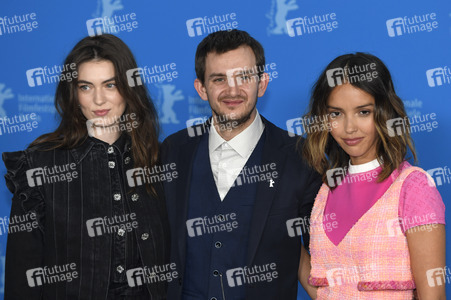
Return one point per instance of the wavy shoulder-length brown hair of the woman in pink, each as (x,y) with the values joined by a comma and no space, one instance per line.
(322,151)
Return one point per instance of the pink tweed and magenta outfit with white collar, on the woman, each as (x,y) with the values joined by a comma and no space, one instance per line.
(357,232)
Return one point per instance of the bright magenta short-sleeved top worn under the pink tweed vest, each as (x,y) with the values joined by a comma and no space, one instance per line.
(359,192)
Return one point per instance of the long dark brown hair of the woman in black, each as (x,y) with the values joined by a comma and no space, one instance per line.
(72,130)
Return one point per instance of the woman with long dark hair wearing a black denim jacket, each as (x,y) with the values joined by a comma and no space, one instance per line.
(100,227)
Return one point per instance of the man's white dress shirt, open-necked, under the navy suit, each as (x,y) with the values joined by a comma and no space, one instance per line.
(227,158)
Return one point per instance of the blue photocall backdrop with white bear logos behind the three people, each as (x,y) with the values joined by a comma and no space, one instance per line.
(300,38)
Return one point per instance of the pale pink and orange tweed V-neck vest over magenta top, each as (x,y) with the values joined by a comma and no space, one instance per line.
(364,258)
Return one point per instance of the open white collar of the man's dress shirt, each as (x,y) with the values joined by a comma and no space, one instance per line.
(244,143)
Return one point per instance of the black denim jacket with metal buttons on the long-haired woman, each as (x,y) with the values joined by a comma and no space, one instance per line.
(63,224)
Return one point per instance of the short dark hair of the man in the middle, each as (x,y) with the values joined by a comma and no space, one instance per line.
(223,41)
